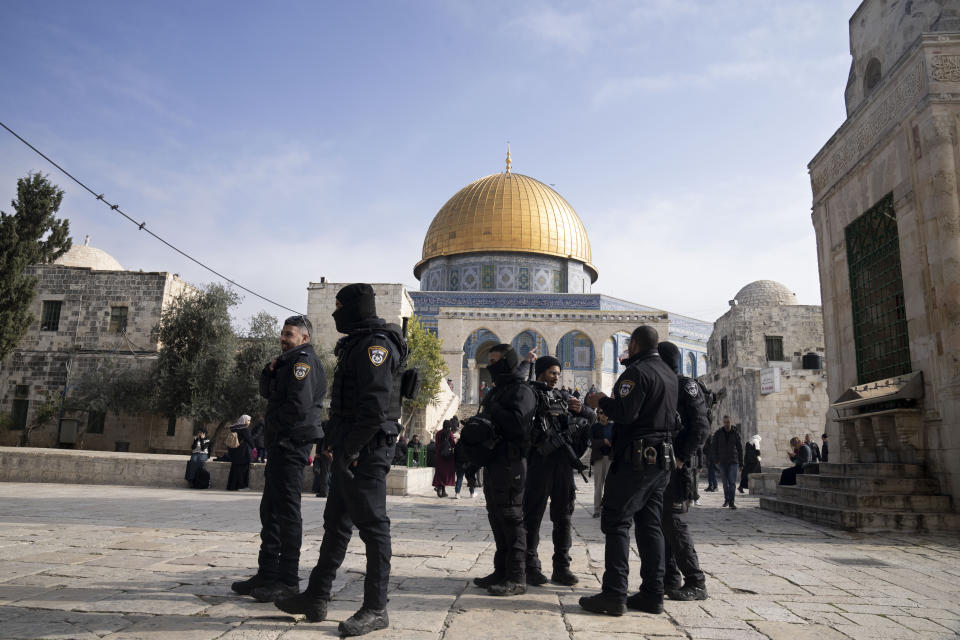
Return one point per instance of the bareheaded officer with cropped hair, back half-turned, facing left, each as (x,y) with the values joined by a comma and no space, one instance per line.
(643,408)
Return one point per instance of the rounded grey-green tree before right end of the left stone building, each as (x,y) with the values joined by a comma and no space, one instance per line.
(197,359)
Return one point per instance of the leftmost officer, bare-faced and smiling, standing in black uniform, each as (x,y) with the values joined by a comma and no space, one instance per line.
(294,385)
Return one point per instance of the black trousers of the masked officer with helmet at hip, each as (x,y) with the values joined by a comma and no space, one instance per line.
(504,480)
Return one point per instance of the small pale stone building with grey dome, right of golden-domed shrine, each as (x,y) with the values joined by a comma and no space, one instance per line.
(766,363)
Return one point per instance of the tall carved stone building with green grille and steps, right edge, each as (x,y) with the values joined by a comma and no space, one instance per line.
(886,211)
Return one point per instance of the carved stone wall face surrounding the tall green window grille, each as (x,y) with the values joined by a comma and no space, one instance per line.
(902,139)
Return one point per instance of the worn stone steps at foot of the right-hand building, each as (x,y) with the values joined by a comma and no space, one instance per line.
(866,497)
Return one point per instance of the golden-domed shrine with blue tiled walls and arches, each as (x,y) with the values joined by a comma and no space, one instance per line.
(507,259)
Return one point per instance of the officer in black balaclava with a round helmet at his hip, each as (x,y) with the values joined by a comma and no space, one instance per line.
(510,406)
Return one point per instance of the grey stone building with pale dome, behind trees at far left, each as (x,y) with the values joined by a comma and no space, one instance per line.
(89,312)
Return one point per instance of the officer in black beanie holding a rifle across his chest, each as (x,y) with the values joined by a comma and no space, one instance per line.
(550,474)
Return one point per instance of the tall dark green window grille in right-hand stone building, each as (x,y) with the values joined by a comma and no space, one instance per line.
(876,294)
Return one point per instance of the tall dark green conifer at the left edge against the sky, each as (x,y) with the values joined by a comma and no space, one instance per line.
(31,235)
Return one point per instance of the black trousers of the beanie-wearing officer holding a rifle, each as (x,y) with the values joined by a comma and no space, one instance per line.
(549,477)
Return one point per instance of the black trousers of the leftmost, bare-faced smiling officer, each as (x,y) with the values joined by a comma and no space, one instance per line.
(281,531)
